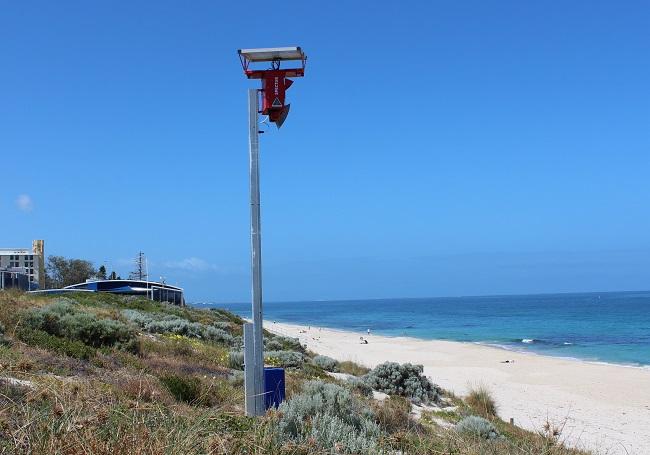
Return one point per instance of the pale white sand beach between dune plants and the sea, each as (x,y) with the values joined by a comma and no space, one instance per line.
(601,407)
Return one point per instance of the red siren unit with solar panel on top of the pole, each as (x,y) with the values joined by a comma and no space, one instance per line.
(275,81)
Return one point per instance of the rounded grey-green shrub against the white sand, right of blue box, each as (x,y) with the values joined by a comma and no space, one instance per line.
(405,380)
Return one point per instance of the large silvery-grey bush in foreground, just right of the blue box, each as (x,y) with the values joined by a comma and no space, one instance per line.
(331,417)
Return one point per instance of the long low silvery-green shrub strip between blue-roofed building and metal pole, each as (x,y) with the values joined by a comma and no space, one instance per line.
(175,325)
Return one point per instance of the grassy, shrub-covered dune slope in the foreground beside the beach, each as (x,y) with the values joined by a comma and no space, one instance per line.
(65,392)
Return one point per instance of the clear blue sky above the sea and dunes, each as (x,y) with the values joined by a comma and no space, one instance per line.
(433,148)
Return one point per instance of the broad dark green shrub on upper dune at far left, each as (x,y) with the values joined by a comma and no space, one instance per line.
(63,319)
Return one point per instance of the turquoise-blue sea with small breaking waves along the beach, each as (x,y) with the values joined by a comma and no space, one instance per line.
(608,327)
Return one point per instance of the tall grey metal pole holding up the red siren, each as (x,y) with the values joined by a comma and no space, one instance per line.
(257,362)
